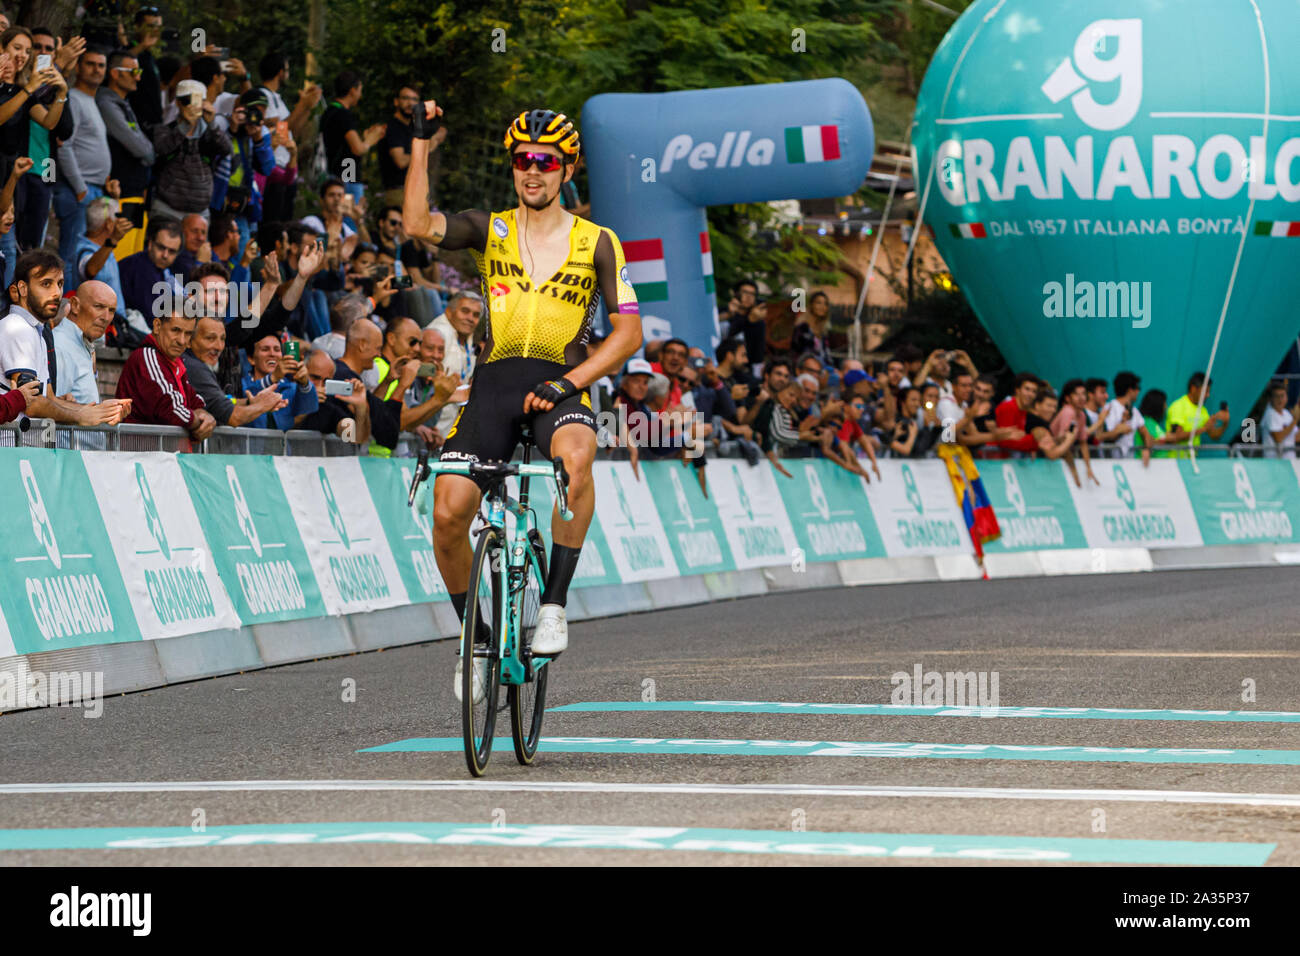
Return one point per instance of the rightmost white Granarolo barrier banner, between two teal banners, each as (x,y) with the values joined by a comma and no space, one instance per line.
(1137,507)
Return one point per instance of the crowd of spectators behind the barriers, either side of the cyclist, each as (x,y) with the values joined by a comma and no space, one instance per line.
(174,187)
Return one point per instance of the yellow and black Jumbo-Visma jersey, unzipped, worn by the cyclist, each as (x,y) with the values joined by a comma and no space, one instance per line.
(553,321)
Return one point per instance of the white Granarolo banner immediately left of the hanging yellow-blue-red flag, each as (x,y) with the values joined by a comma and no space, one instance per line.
(917,512)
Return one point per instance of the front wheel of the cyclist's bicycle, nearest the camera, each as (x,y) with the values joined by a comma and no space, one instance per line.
(483,604)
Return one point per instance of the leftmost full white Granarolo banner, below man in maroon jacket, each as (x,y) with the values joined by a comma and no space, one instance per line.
(159,544)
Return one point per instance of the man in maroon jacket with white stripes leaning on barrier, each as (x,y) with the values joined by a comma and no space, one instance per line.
(157,383)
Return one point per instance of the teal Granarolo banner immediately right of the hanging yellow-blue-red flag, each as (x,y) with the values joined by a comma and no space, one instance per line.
(1033,505)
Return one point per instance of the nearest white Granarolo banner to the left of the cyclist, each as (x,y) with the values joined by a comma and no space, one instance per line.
(343,533)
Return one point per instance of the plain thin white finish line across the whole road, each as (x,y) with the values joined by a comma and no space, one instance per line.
(837,790)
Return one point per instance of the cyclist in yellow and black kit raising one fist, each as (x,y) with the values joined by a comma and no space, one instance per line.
(544,271)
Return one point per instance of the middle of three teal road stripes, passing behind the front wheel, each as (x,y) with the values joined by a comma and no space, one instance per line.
(868,749)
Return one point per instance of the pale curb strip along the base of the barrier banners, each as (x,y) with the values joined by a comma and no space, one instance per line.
(141,665)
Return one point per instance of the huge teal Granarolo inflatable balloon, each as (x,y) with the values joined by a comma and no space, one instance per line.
(1107,178)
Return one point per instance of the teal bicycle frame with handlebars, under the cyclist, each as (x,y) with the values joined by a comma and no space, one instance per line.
(513,573)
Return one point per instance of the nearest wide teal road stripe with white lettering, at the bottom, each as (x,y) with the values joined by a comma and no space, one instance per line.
(684,840)
